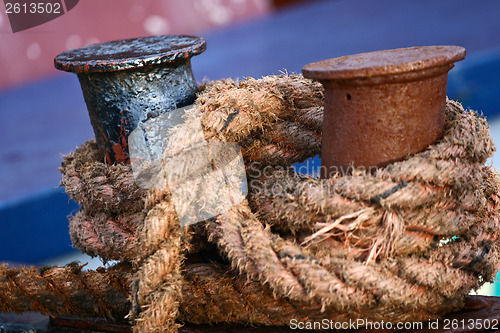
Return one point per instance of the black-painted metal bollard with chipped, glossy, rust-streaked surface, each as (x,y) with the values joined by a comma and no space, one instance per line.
(128,81)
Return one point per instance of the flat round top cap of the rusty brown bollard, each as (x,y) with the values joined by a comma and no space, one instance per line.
(384,63)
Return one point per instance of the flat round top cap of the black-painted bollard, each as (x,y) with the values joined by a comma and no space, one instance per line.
(130,53)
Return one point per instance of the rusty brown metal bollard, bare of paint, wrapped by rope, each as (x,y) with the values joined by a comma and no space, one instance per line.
(382,106)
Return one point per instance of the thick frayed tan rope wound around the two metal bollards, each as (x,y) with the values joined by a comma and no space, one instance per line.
(408,242)
